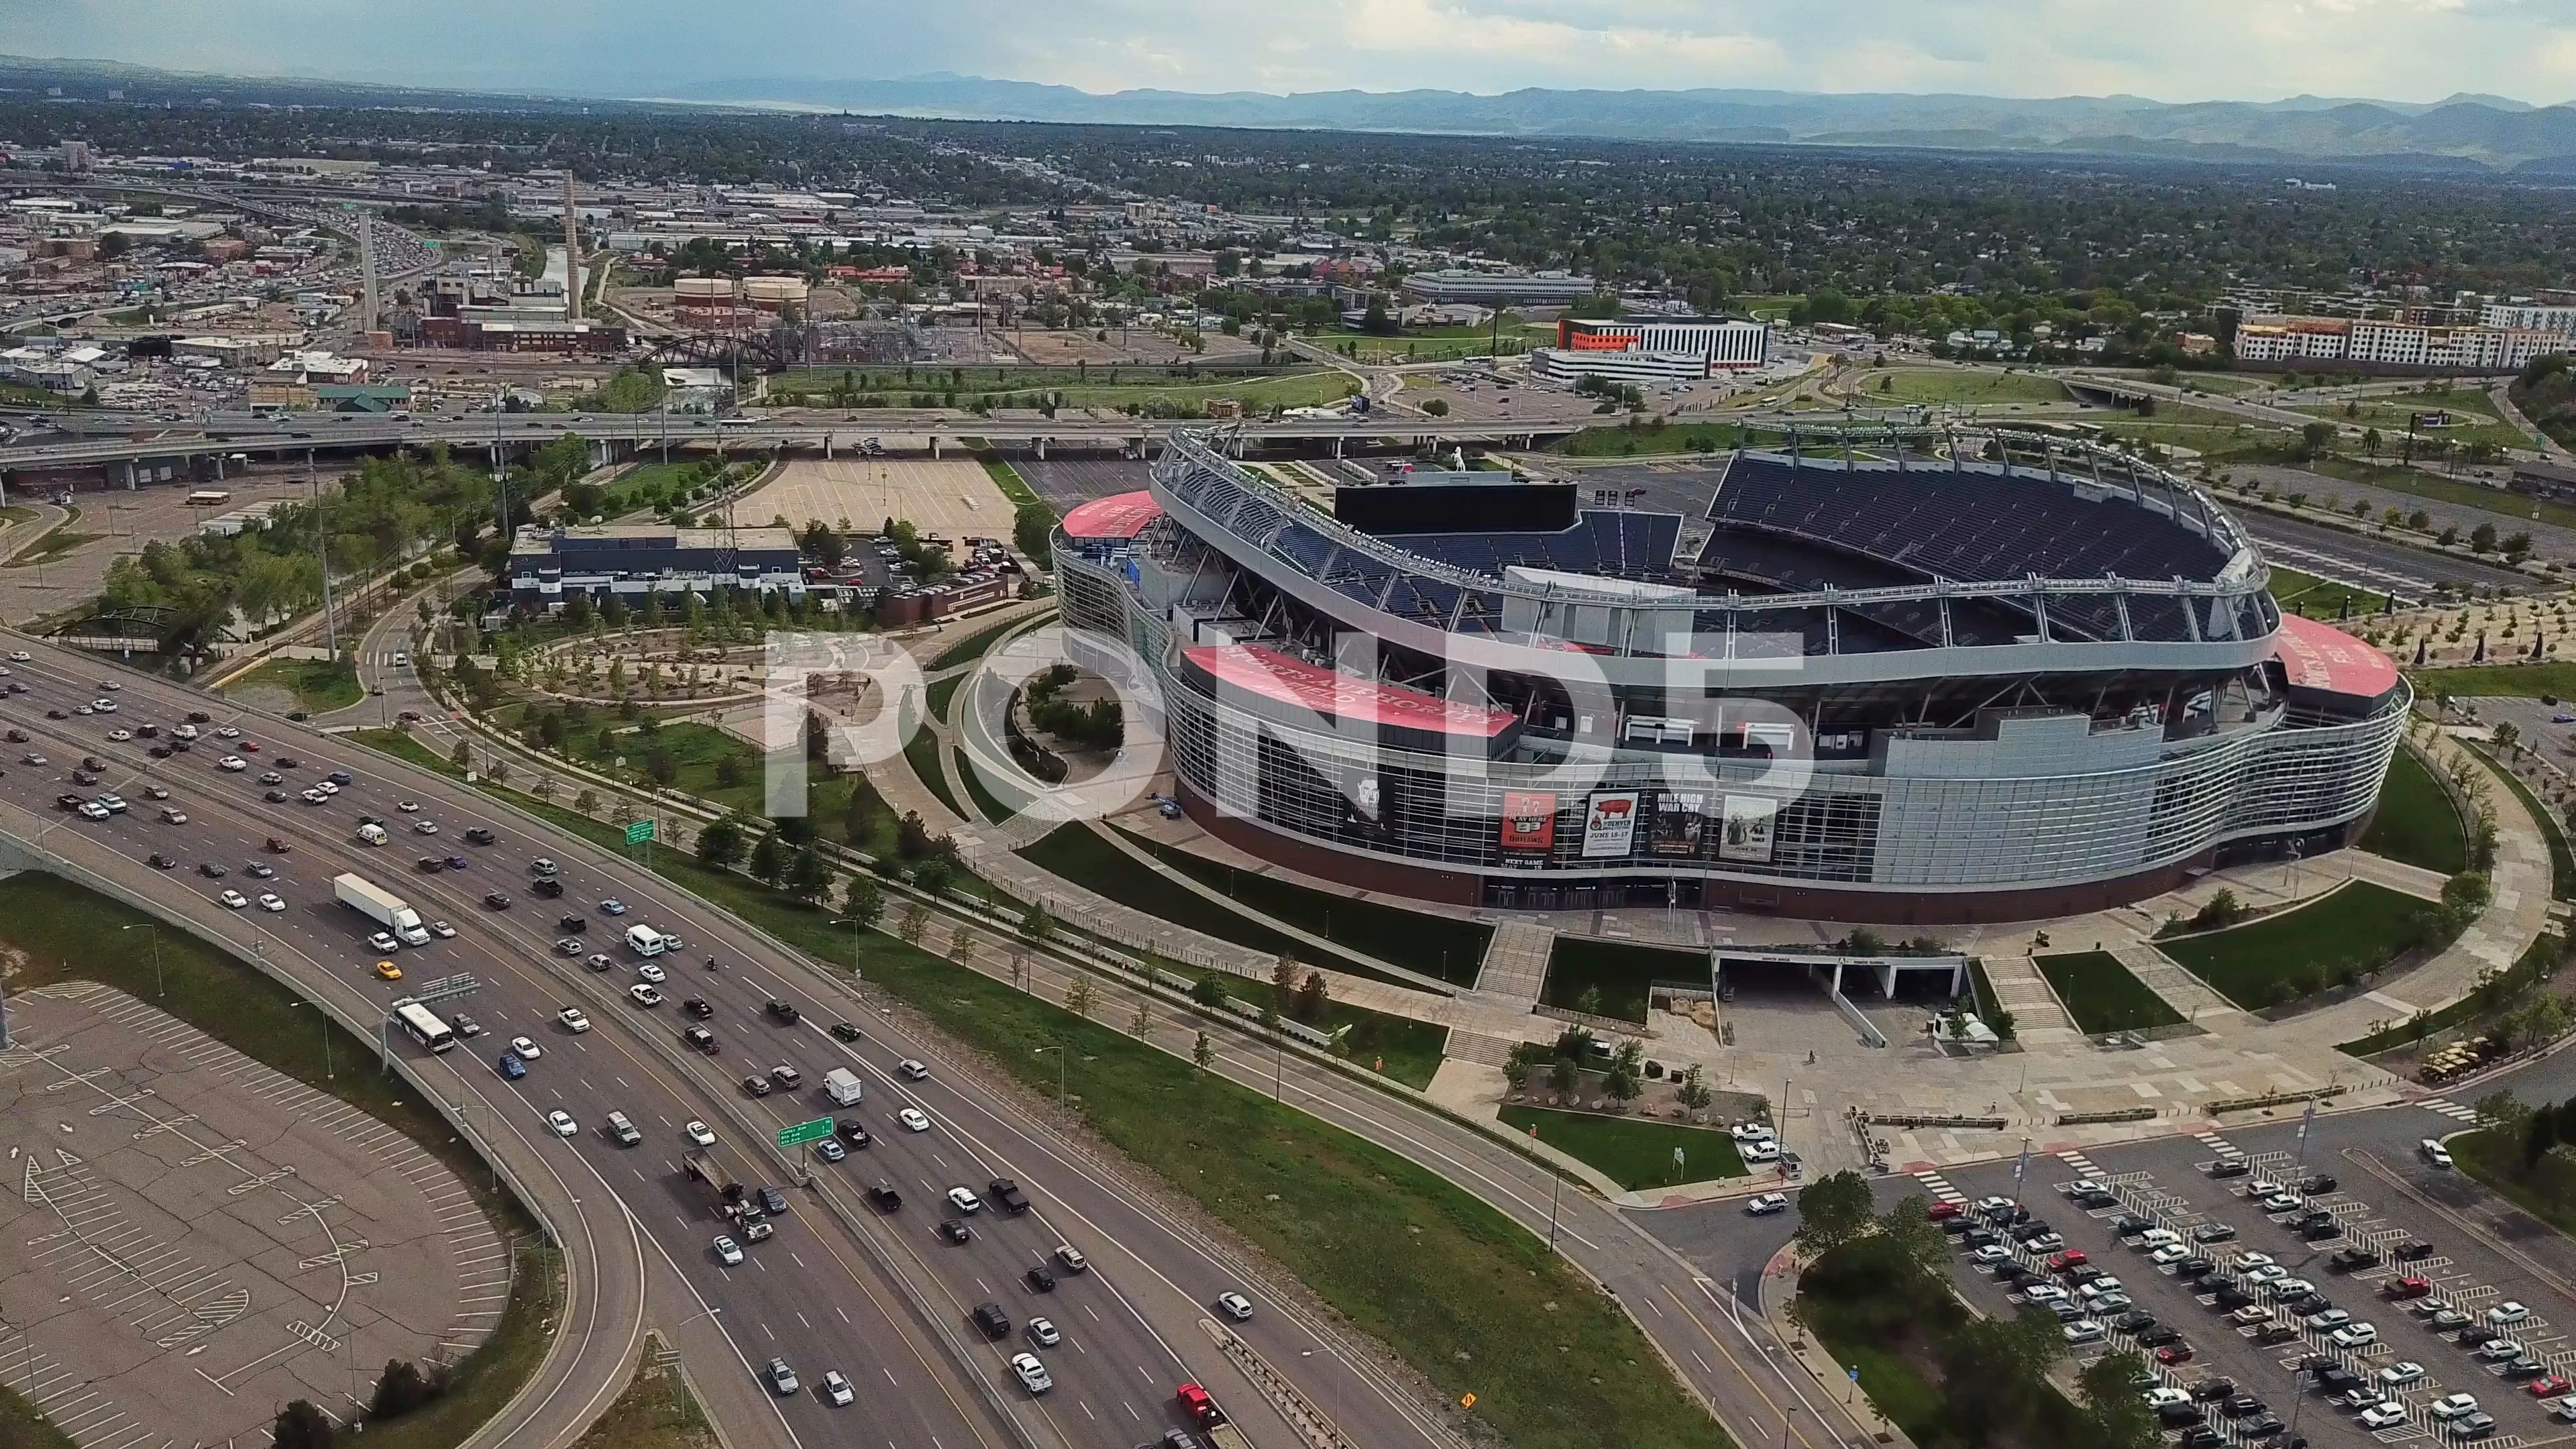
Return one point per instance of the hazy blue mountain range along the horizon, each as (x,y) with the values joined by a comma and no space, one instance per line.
(2464,130)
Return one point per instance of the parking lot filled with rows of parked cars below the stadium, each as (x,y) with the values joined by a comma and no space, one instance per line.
(2382,1208)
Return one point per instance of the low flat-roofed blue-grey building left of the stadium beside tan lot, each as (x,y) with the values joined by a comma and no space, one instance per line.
(632,561)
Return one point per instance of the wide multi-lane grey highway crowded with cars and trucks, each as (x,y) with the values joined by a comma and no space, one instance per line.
(828,1290)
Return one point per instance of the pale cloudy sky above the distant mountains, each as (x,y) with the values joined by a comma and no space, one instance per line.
(2165,50)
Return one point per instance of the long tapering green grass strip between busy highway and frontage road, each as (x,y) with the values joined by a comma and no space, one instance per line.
(1392,1247)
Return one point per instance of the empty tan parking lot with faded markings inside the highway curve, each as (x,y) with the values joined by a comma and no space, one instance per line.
(197,1239)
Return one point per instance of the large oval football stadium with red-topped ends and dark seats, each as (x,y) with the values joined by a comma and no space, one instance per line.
(1933,682)
